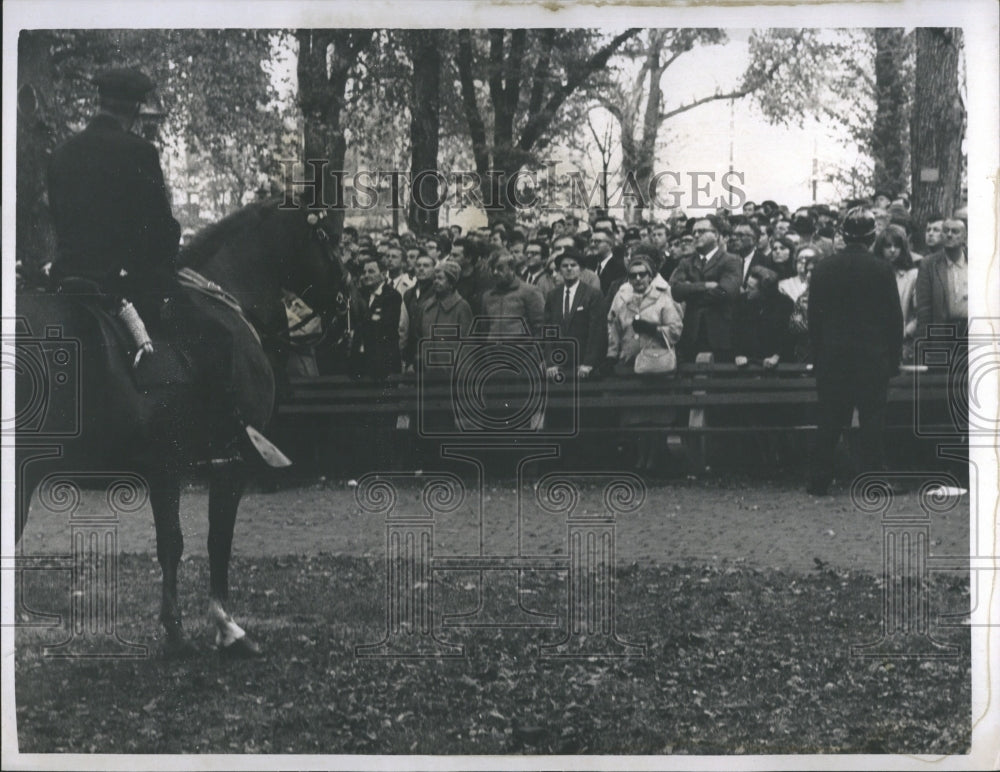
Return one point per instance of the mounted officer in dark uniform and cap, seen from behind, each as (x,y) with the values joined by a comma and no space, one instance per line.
(114,228)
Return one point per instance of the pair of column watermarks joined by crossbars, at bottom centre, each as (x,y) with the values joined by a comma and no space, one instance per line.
(589,564)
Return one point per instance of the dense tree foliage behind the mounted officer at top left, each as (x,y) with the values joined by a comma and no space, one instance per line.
(221,124)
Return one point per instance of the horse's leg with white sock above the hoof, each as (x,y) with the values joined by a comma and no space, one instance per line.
(225,490)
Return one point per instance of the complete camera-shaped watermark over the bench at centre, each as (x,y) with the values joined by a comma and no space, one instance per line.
(492,382)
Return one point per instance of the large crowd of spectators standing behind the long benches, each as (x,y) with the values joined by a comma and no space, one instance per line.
(643,297)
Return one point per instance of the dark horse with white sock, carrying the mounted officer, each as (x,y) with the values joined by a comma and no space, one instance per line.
(158,429)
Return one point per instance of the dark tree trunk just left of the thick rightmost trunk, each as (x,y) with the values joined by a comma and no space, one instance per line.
(889,131)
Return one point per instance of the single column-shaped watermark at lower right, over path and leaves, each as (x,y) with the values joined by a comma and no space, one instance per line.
(906,626)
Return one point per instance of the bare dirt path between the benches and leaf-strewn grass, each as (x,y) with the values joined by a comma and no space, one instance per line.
(767,526)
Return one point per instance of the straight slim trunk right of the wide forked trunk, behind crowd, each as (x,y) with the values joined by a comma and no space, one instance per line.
(425,123)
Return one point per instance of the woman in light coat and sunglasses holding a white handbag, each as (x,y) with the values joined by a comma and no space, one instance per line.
(644,325)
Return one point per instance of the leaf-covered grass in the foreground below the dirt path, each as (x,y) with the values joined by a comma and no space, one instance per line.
(736,660)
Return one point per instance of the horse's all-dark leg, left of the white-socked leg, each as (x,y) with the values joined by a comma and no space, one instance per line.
(164,497)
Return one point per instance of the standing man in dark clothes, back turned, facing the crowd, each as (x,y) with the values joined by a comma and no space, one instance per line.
(856,334)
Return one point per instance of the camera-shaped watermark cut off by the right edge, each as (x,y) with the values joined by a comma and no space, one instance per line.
(964,364)
